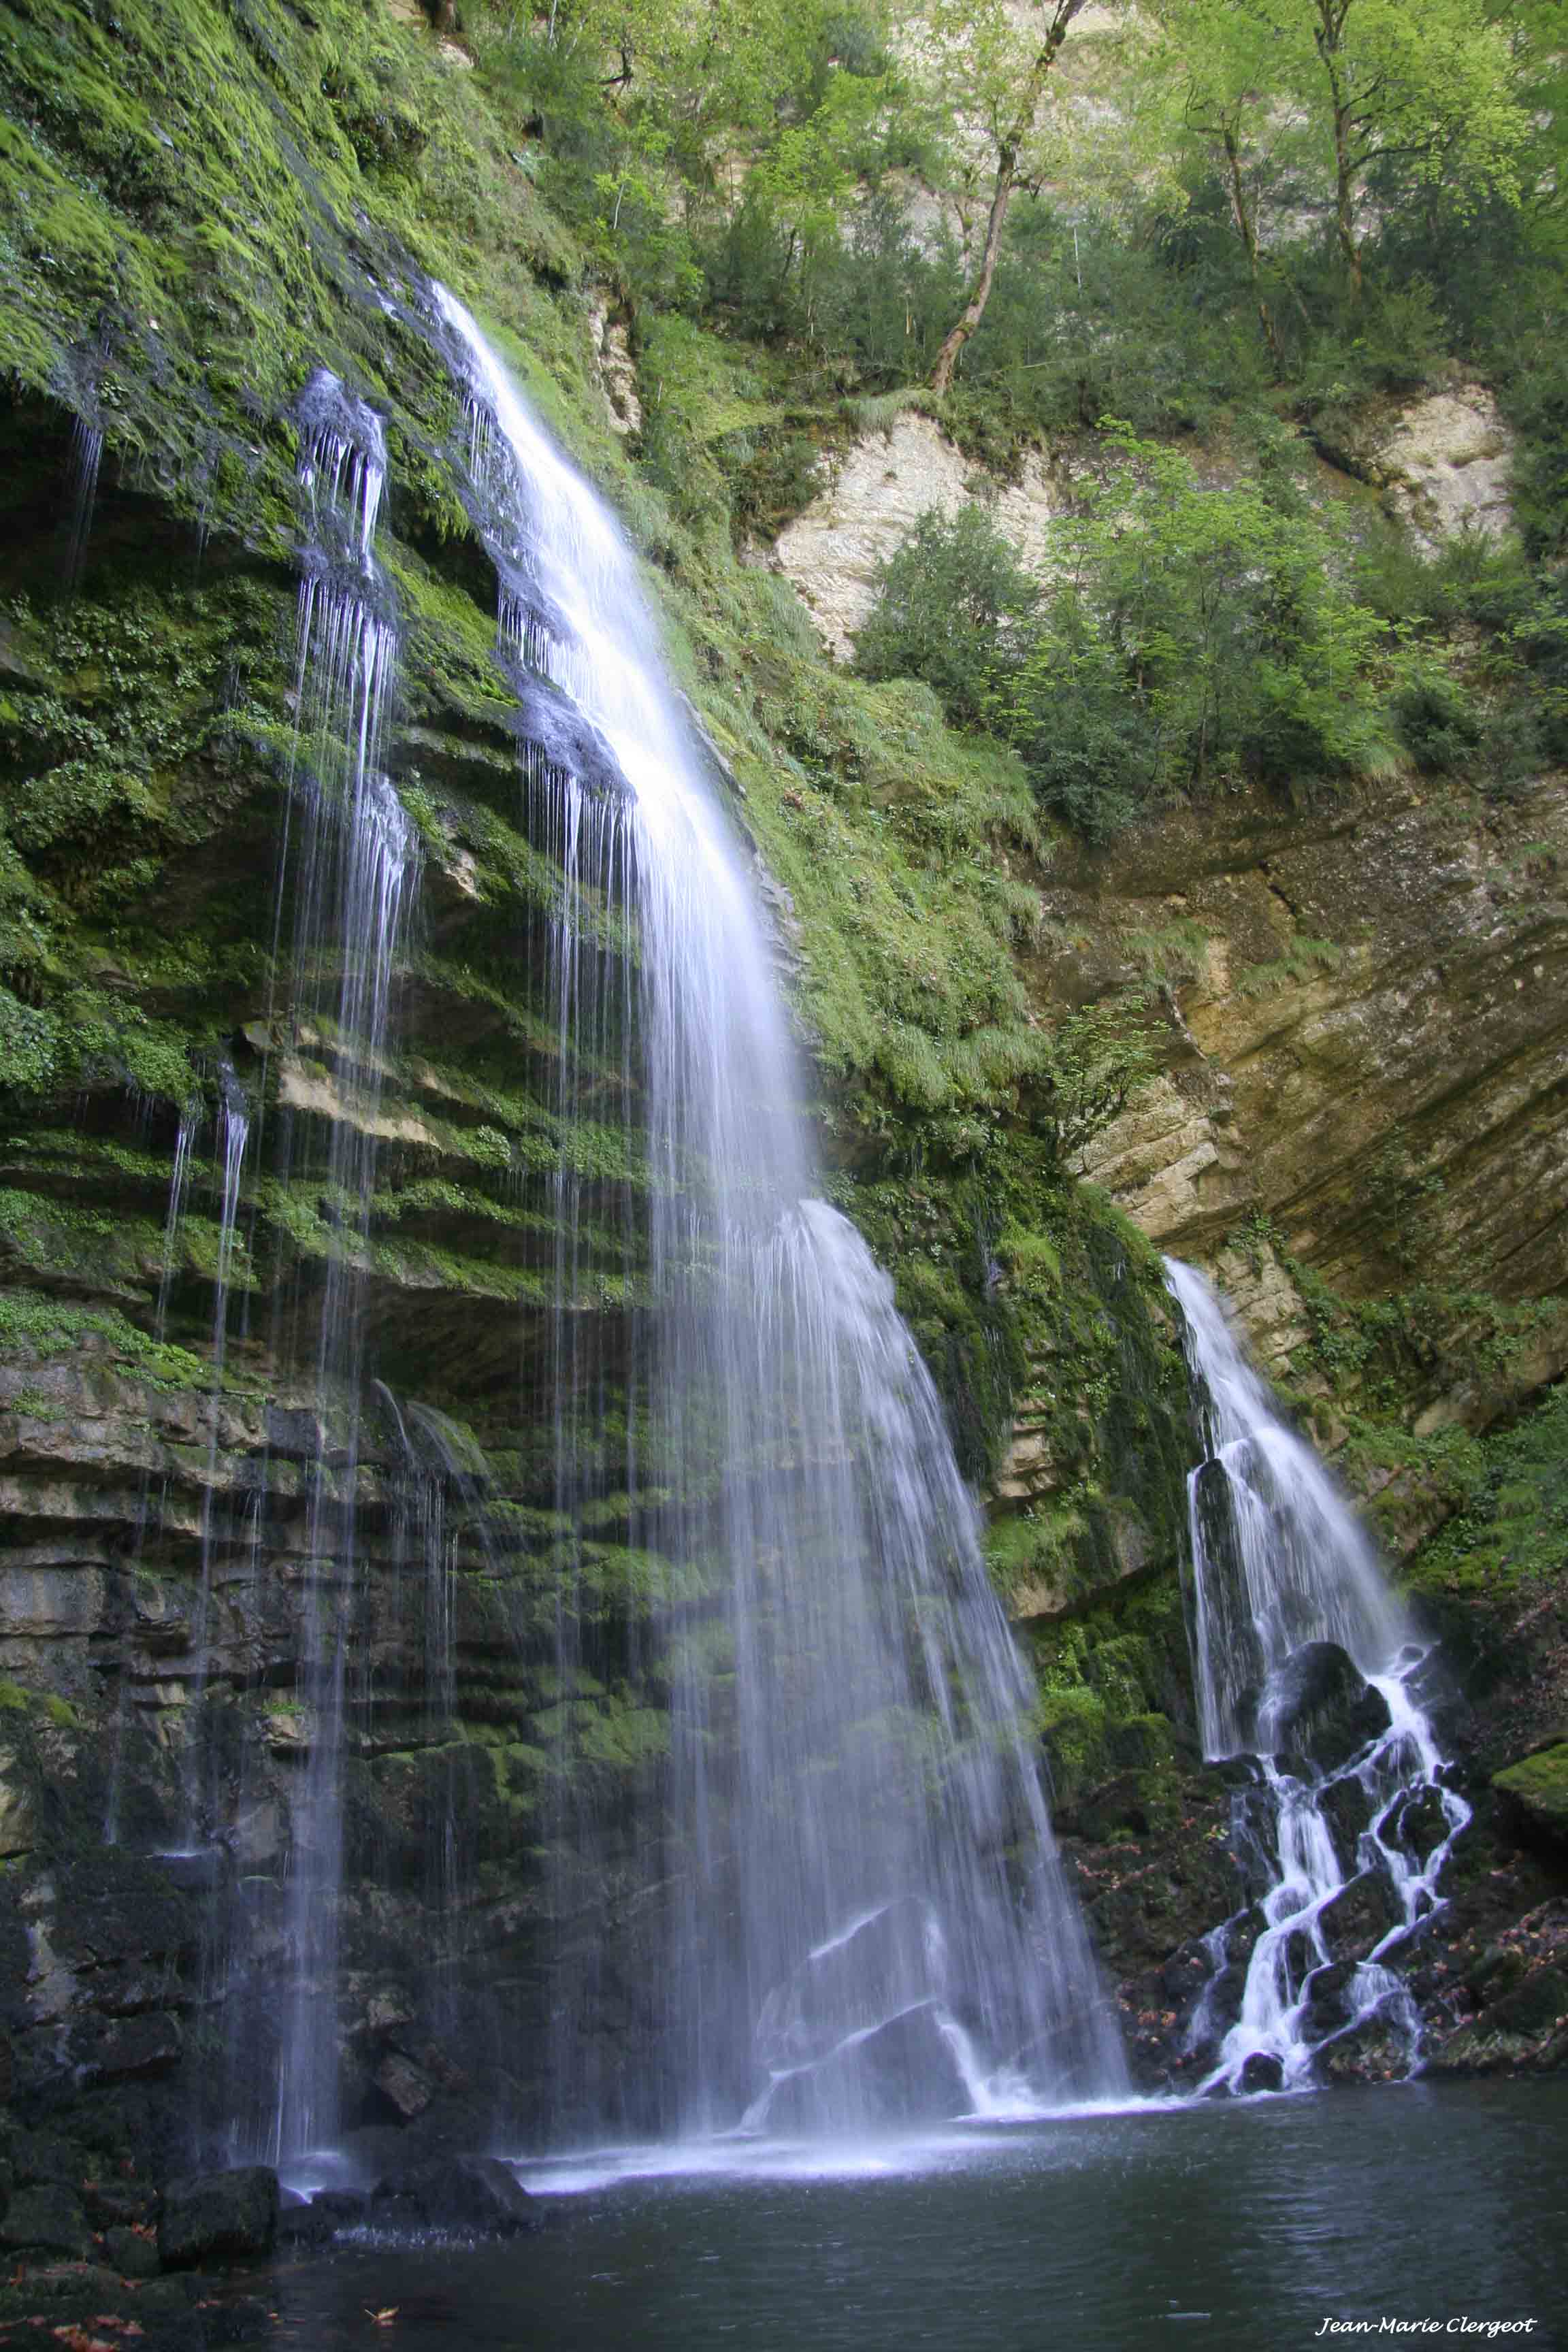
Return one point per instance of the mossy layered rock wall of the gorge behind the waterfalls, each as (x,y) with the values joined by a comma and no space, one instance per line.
(1360,1125)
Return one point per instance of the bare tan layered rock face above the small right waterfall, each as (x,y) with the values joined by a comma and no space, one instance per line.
(1367,1045)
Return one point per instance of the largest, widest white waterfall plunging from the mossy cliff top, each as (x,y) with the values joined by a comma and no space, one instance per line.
(864,1916)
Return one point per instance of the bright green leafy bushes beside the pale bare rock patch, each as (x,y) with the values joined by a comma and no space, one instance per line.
(1188,636)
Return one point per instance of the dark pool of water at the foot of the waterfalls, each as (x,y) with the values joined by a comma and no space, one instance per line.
(1226,2226)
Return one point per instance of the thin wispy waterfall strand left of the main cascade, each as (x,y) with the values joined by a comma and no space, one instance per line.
(351,878)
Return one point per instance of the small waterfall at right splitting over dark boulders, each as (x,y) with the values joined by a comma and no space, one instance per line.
(1282,1570)
